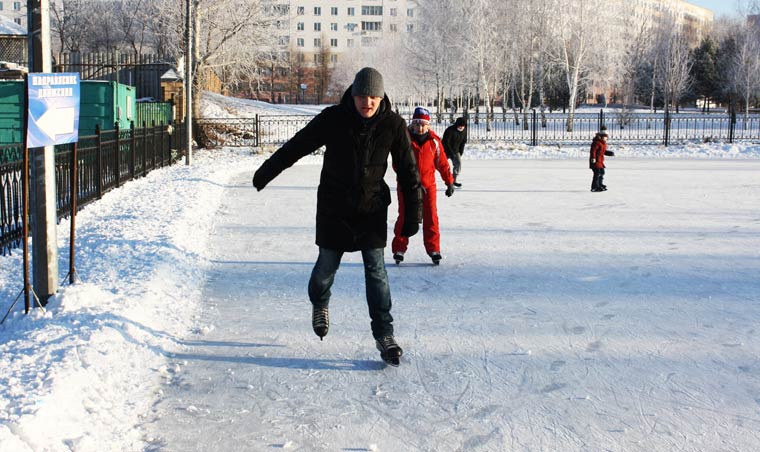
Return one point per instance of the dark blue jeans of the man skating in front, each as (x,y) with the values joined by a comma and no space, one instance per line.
(375,280)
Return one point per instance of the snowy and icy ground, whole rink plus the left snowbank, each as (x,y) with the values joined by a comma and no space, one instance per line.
(559,319)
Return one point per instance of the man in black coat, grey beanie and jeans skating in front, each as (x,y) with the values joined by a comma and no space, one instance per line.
(352,197)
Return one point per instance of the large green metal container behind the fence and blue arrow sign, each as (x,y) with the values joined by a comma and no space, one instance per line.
(102,103)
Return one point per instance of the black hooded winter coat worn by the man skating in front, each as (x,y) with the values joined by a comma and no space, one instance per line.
(352,198)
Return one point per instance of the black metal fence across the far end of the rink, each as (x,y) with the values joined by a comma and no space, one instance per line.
(533,128)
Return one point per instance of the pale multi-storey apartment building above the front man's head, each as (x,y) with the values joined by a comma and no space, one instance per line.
(308,27)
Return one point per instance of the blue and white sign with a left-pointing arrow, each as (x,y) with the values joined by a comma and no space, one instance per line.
(53,105)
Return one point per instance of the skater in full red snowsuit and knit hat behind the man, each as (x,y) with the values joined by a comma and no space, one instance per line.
(430,156)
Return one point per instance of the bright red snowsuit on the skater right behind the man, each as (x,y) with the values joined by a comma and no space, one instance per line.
(430,157)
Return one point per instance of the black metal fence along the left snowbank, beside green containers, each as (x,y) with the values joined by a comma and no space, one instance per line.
(105,161)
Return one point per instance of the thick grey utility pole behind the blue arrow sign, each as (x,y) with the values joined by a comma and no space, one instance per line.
(42,190)
